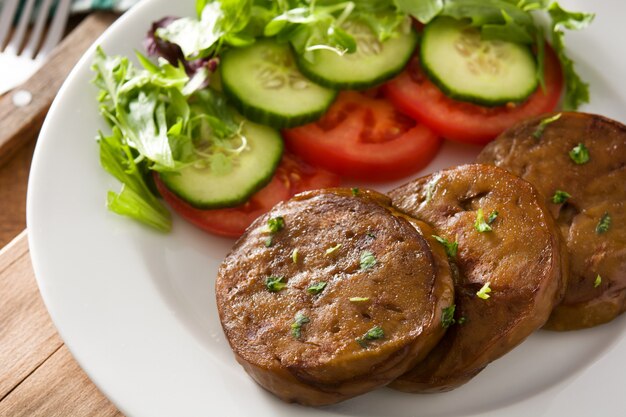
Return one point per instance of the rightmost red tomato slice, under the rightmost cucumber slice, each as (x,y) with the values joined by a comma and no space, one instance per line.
(413,93)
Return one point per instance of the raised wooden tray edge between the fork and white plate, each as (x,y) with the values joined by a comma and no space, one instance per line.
(20,125)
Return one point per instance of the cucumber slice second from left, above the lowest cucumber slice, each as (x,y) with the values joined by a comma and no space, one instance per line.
(264,84)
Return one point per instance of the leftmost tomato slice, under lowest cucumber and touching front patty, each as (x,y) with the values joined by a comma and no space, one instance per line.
(291,177)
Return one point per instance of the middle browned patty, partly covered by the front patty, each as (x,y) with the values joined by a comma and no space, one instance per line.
(520,261)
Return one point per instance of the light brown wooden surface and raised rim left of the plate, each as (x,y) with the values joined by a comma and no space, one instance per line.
(38,376)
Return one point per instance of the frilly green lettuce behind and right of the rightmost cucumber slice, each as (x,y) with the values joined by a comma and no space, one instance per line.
(513,21)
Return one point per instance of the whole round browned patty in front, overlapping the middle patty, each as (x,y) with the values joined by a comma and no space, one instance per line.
(358,300)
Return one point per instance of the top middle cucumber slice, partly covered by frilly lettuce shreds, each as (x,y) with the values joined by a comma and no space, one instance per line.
(373,63)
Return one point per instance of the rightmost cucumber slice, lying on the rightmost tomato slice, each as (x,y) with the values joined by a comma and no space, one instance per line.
(468,68)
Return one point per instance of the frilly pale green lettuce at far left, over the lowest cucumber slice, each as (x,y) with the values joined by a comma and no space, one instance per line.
(160,122)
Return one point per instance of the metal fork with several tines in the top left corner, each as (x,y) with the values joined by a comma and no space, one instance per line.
(18,63)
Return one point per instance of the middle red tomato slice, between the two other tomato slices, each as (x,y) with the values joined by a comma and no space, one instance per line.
(362,136)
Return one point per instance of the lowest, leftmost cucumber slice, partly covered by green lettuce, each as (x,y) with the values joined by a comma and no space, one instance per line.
(251,170)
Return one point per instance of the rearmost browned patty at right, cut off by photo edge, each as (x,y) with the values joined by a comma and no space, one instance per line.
(540,153)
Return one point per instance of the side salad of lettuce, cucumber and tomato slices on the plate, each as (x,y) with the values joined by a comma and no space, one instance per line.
(361,88)
